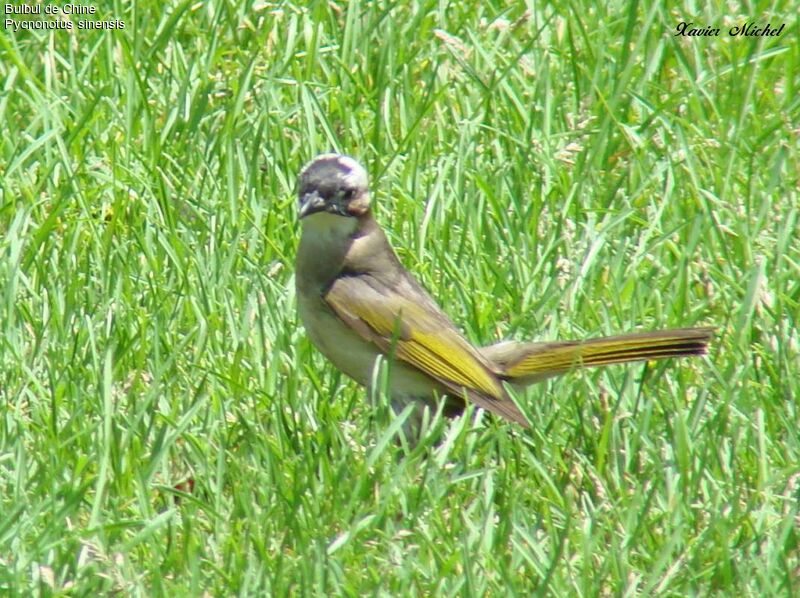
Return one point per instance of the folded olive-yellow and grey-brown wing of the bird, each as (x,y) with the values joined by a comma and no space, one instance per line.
(420,336)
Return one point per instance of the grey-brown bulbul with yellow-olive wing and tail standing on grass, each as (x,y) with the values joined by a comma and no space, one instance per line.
(359,304)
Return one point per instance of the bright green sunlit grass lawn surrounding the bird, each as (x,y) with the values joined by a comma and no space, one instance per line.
(166,427)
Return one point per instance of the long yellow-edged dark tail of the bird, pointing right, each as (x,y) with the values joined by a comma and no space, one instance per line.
(527,363)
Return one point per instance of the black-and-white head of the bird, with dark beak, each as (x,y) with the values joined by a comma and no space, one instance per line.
(333,184)
